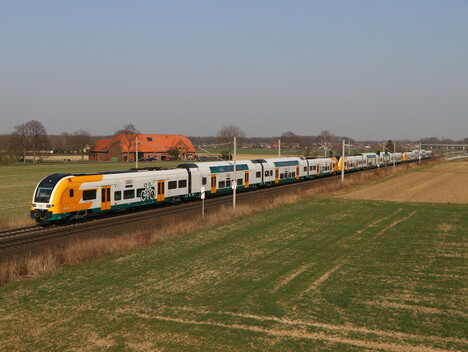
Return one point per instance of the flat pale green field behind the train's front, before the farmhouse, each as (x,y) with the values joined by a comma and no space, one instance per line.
(18,181)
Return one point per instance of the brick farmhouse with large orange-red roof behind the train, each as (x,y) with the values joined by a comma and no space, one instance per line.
(150,146)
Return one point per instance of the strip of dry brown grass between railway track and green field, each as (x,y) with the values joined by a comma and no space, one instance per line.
(77,251)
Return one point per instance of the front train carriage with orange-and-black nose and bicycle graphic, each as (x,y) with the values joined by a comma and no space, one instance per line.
(74,196)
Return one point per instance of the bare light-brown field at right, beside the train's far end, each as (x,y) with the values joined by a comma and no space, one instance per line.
(443,183)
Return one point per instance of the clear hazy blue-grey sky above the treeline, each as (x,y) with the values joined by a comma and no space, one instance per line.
(366,69)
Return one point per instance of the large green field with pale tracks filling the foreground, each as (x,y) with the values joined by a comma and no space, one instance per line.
(319,275)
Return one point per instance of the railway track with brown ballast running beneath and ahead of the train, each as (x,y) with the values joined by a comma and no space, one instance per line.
(36,235)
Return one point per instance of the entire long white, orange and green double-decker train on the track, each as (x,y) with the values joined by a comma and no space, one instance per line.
(60,197)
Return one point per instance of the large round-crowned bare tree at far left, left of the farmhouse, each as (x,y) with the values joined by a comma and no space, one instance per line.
(31,135)
